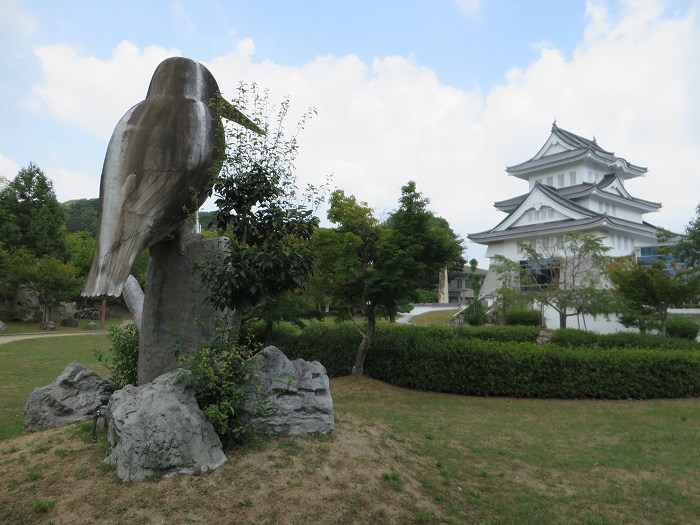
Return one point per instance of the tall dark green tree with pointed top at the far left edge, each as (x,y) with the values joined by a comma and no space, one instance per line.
(31,217)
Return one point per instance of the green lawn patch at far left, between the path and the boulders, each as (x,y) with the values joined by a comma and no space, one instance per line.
(37,362)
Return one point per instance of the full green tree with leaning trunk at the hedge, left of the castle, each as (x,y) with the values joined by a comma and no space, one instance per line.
(373,268)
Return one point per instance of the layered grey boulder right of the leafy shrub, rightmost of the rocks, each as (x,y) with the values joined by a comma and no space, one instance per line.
(299,399)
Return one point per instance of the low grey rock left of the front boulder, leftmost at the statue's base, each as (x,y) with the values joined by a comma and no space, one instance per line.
(73,396)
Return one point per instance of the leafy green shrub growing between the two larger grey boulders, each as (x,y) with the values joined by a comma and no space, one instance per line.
(221,374)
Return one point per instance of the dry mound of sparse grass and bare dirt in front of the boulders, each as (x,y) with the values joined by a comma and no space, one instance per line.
(360,474)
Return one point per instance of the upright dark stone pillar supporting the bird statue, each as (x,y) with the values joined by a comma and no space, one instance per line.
(176,312)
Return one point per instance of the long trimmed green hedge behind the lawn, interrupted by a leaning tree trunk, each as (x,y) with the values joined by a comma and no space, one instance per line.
(457,361)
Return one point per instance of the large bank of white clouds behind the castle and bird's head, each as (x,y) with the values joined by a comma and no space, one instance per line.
(632,82)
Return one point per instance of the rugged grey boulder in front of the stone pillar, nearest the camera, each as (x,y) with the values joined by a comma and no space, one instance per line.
(158,428)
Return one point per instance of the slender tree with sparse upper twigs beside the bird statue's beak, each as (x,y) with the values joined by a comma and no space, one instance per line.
(258,207)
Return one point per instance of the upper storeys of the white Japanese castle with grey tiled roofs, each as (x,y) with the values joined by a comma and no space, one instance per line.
(573,185)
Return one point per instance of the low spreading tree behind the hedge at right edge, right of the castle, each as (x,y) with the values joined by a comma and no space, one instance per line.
(653,287)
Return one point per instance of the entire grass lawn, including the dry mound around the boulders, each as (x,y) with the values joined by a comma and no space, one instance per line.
(397,456)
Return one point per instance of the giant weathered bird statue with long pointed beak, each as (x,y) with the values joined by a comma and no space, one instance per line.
(160,163)
